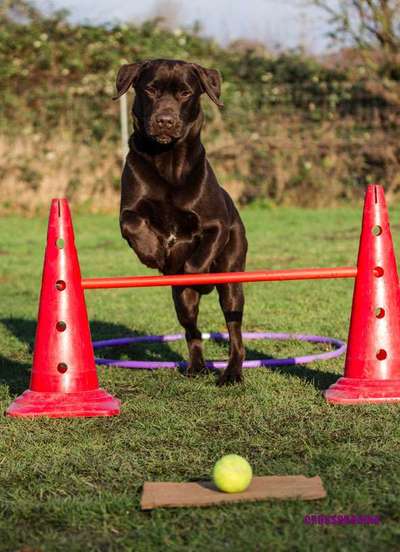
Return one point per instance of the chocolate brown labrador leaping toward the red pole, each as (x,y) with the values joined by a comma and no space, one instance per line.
(174,214)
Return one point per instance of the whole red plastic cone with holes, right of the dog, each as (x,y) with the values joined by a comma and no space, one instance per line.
(372,369)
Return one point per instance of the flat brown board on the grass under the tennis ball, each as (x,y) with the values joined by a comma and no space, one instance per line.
(158,494)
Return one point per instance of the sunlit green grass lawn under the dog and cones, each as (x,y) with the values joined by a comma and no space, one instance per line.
(75,484)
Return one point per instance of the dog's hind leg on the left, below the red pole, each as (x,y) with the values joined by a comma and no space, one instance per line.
(186,302)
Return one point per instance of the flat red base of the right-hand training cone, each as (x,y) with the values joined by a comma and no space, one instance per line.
(362,391)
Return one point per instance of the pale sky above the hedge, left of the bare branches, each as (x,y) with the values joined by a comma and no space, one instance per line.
(276,23)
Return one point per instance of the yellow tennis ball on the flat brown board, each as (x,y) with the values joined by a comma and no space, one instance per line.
(232,474)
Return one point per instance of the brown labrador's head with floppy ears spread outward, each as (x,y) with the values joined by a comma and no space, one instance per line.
(167,101)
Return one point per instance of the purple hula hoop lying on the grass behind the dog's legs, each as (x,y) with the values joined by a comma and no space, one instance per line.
(340,348)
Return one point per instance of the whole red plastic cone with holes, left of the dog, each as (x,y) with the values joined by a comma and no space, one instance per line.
(64,379)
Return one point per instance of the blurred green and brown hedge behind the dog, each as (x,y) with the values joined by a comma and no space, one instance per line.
(282,113)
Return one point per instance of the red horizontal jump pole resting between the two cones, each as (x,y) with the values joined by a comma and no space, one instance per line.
(220,278)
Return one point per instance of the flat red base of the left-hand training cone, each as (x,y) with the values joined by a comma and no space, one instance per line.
(64,405)
